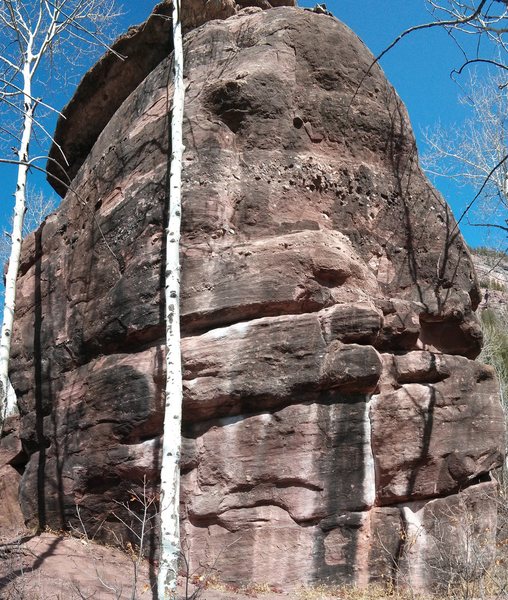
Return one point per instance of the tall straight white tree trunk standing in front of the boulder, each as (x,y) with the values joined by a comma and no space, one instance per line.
(170,468)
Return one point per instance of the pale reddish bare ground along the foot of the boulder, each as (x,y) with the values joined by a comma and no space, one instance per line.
(62,567)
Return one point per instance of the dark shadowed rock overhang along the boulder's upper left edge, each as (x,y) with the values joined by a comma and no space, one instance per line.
(123,67)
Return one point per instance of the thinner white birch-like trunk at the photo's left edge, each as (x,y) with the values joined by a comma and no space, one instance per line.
(8,401)
